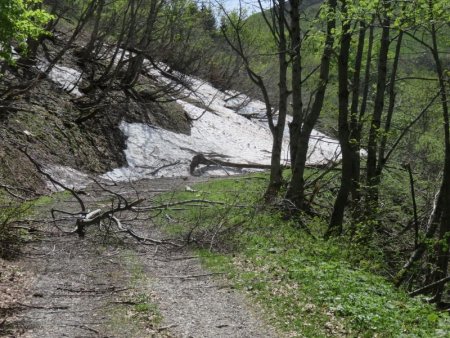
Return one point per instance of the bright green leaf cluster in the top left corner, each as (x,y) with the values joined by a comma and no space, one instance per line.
(20,20)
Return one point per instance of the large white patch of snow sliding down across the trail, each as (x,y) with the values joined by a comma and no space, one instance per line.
(224,130)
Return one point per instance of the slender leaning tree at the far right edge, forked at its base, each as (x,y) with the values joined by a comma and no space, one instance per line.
(430,16)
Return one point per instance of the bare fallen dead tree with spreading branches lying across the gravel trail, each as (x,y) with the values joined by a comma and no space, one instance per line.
(120,216)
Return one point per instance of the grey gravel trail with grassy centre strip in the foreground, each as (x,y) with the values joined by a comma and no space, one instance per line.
(96,287)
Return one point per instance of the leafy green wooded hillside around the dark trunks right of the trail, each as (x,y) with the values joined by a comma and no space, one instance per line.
(374,76)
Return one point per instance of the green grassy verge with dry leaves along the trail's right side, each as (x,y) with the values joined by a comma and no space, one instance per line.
(307,287)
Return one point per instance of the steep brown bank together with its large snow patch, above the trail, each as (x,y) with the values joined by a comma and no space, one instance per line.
(132,137)
